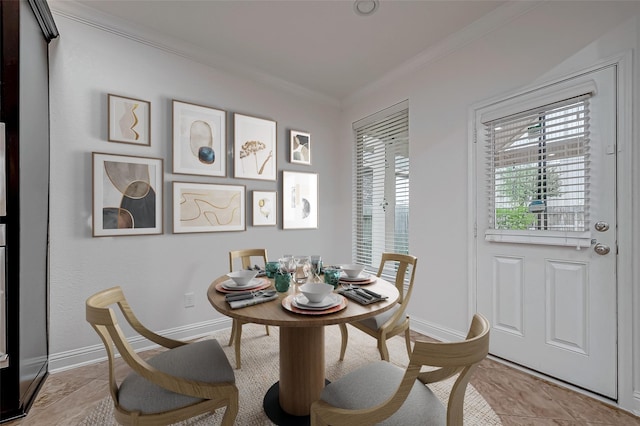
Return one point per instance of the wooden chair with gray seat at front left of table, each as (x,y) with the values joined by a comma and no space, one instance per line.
(184,381)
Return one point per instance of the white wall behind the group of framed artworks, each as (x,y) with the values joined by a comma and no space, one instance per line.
(155,271)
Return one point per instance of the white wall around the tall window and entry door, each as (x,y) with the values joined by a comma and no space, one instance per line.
(545,42)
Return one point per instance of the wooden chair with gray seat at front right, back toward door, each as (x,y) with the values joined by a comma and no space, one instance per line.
(382,393)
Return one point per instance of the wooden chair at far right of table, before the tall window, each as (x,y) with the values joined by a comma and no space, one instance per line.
(395,320)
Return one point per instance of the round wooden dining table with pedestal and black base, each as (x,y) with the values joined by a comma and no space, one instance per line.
(302,360)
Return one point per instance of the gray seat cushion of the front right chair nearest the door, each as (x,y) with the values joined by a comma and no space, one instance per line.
(374,383)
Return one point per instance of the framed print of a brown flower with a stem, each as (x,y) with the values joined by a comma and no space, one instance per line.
(254,148)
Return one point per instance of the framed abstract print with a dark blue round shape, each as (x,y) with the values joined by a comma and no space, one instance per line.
(199,140)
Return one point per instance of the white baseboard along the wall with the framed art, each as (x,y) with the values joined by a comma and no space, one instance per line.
(67,360)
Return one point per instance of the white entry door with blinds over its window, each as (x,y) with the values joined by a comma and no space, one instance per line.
(546,229)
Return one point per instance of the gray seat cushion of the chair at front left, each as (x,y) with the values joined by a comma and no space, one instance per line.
(203,361)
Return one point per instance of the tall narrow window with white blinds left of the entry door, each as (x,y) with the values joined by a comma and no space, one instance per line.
(381,185)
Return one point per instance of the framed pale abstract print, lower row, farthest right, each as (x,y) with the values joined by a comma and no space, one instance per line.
(299,200)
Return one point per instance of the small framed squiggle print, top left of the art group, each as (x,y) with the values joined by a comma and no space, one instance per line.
(129,120)
